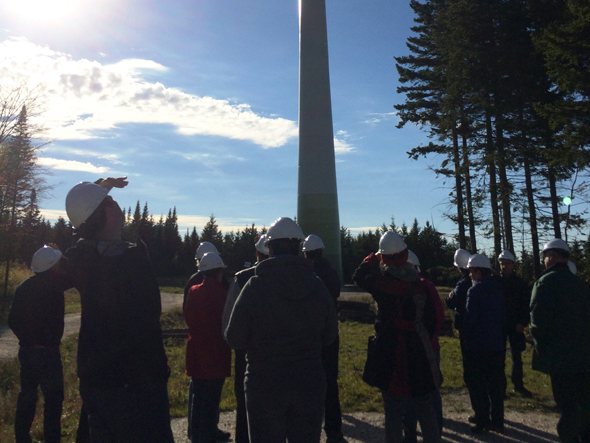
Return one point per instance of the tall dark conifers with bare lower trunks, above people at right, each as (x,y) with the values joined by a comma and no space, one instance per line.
(503,89)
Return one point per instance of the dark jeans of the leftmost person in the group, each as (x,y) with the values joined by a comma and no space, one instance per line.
(39,368)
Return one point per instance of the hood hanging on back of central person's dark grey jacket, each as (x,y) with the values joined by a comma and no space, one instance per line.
(288,276)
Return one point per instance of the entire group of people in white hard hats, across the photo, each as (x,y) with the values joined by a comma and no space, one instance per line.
(280,318)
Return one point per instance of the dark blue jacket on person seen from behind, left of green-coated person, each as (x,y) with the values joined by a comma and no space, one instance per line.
(485,317)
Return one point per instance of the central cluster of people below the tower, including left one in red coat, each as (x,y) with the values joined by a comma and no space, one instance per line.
(280,318)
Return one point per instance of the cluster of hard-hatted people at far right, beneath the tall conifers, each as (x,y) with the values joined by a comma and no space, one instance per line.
(491,310)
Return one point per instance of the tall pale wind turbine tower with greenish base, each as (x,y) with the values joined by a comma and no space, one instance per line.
(317,199)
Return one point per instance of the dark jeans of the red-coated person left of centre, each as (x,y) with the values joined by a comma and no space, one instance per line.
(205,409)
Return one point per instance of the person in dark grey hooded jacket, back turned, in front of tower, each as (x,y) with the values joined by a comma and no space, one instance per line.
(282,318)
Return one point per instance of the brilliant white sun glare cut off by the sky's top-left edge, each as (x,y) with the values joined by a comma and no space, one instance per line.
(44,10)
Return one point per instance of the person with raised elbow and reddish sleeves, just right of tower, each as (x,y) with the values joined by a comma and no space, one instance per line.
(407,321)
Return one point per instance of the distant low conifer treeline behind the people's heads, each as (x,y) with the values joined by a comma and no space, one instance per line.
(173,253)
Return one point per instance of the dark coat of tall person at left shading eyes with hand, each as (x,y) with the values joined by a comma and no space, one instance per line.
(120,334)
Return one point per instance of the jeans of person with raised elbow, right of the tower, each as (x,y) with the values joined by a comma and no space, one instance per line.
(394,407)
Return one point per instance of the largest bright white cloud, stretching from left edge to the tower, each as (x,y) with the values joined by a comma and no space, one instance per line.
(85,98)
